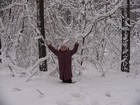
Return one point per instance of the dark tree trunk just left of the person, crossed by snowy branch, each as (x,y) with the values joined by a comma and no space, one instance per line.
(40,23)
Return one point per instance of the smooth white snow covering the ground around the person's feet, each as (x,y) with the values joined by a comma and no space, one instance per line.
(116,88)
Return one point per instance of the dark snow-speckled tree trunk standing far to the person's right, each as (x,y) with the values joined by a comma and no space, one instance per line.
(125,56)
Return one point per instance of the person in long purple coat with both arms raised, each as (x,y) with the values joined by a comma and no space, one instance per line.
(64,60)
